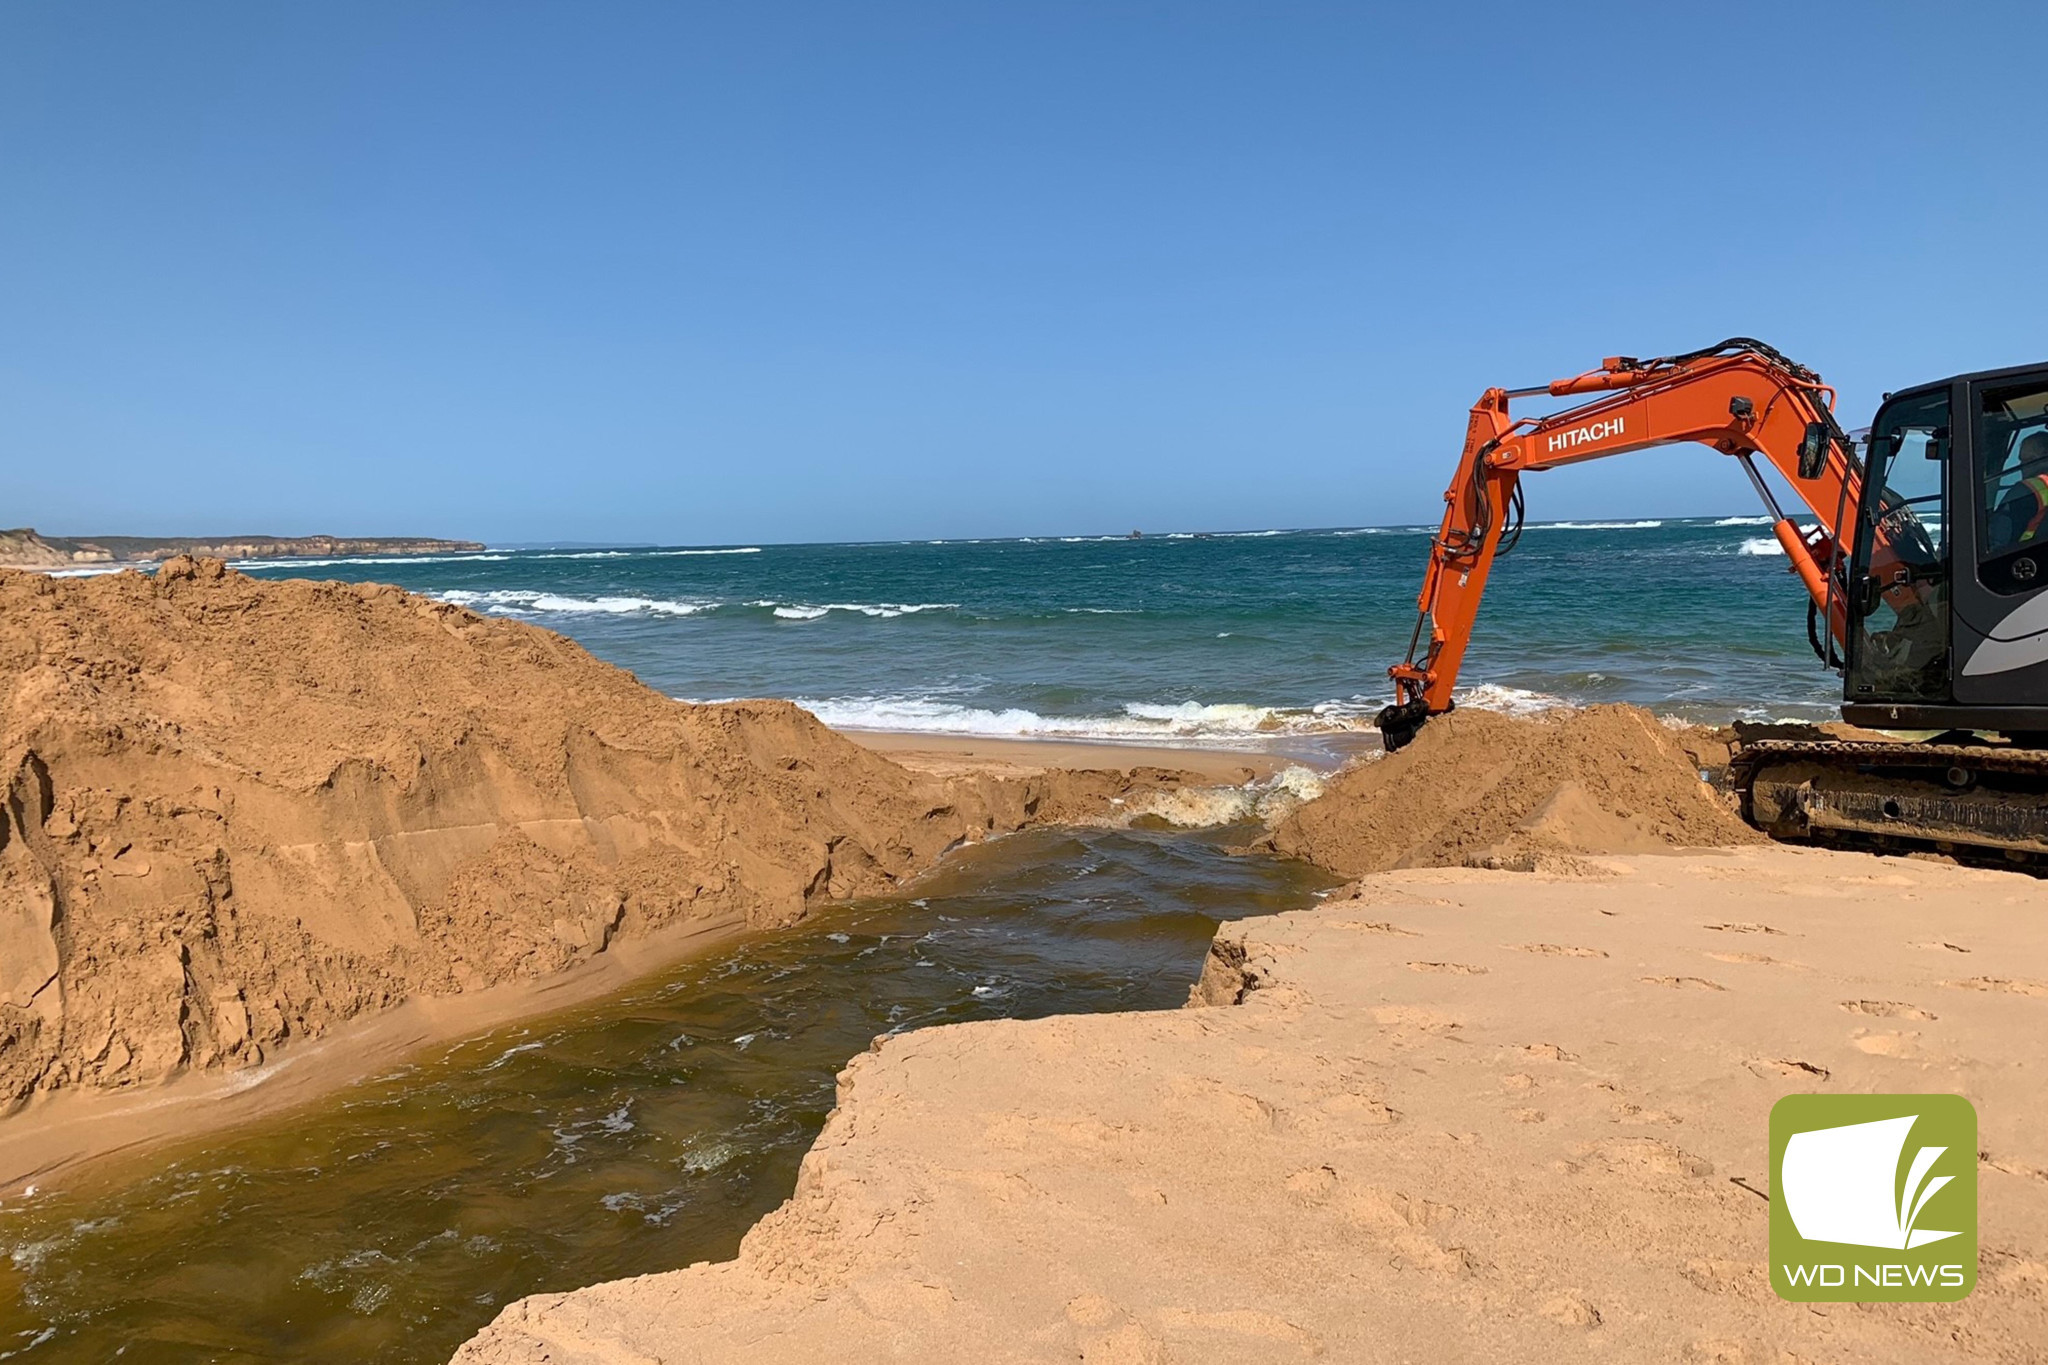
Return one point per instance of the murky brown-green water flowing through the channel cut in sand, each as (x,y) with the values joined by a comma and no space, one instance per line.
(630,1137)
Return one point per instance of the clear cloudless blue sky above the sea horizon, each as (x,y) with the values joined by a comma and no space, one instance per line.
(867,271)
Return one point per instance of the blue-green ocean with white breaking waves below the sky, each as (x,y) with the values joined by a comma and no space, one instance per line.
(1230,640)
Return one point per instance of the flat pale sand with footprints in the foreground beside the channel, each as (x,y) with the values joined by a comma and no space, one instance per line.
(1465,1116)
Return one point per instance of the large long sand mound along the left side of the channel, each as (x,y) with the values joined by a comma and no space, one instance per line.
(243,811)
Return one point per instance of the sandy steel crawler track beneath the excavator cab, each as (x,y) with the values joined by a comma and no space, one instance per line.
(1983,803)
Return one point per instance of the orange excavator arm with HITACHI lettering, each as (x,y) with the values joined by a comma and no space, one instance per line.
(1740,398)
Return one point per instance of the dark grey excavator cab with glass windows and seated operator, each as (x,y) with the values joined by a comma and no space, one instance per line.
(1949,570)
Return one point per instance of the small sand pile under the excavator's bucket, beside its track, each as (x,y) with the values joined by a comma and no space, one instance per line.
(1498,791)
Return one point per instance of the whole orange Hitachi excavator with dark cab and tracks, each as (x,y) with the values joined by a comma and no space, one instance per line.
(1926,570)
